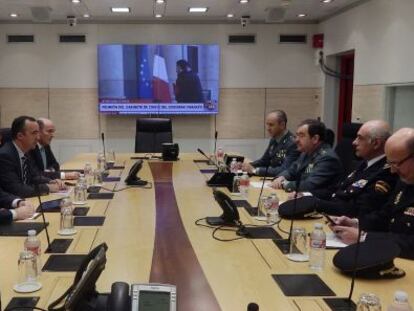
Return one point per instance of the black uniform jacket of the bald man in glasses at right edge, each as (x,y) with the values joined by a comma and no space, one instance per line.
(395,220)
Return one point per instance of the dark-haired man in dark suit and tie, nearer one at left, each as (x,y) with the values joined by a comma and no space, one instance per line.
(18,174)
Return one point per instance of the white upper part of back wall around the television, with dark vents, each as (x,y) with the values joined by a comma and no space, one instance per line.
(50,64)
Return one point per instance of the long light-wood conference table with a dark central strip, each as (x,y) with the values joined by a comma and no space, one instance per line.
(152,237)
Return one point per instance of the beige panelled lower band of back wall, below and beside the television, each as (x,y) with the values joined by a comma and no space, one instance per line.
(241,116)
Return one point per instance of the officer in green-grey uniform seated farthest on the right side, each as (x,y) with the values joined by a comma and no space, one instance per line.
(281,151)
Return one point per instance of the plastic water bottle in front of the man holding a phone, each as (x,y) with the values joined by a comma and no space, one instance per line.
(317,247)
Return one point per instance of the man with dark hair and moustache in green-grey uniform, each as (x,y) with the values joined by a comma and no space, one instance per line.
(318,168)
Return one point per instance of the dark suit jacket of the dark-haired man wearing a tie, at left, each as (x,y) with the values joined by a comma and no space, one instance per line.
(11,174)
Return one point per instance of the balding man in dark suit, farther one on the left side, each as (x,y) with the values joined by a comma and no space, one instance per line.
(43,156)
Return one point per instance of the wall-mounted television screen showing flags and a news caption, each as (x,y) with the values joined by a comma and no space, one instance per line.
(158,79)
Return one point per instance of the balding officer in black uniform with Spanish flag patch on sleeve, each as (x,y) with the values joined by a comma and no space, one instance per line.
(368,187)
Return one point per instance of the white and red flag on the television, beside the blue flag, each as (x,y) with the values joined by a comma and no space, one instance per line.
(161,88)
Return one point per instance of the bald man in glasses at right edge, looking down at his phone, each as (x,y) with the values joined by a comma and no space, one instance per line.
(396,218)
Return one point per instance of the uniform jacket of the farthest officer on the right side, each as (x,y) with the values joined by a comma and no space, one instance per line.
(278,156)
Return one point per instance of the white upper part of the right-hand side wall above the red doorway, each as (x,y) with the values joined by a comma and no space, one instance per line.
(381,32)
